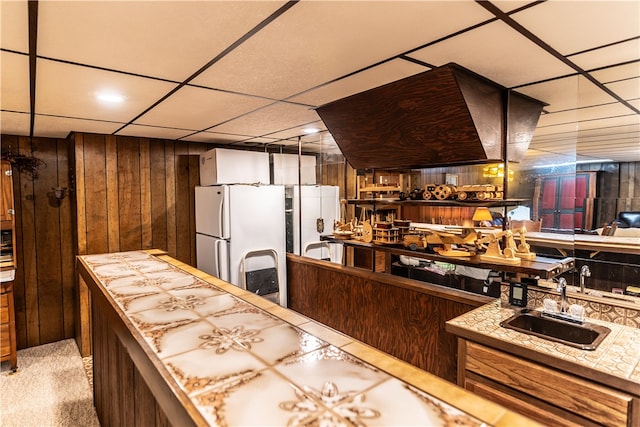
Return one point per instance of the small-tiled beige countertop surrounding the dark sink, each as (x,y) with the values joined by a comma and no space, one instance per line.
(616,360)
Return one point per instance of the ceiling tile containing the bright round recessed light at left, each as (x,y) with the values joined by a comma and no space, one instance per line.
(69,90)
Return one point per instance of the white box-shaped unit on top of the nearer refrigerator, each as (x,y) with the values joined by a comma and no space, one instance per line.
(226,166)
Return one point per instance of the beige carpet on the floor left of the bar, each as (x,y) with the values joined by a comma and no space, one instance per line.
(50,388)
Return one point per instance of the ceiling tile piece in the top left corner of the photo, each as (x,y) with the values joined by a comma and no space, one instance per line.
(14,25)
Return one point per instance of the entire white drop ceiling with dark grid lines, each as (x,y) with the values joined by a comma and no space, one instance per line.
(252,73)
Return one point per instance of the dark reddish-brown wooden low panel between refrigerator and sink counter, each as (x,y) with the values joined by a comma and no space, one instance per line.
(402,321)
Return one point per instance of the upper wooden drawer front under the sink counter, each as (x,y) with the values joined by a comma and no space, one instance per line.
(572,394)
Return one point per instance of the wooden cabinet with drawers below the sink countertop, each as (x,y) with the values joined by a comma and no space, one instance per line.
(542,392)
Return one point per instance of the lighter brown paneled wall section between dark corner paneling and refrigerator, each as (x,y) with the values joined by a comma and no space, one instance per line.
(135,193)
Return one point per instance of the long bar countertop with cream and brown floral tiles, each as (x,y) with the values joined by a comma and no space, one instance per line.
(242,360)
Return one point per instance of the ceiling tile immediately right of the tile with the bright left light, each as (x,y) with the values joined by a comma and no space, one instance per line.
(198,108)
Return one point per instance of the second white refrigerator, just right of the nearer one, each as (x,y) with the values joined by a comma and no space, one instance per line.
(320,209)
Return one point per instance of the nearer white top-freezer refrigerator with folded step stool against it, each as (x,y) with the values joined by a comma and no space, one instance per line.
(240,237)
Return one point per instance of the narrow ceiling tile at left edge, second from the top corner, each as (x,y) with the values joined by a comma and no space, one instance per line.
(14,90)
